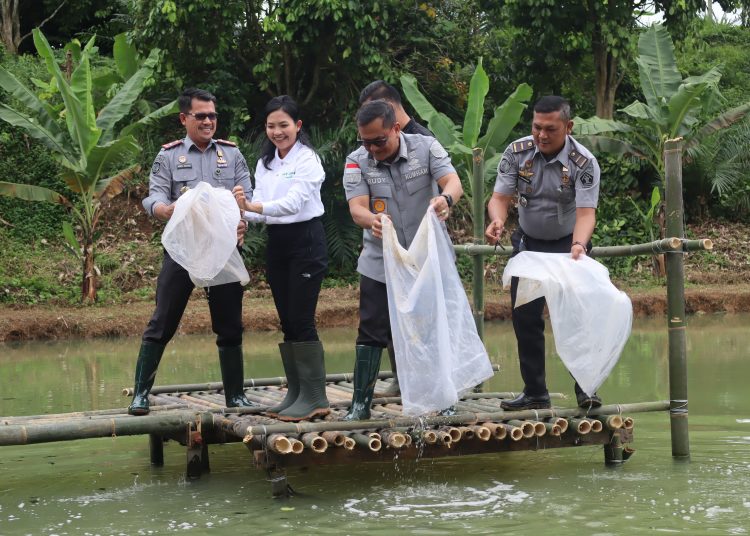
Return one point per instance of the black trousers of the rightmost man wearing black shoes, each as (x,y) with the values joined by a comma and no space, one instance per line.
(528,322)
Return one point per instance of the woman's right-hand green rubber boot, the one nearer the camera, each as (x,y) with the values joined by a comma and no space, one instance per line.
(309,358)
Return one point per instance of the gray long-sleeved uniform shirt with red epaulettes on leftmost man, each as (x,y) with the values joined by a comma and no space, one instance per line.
(181,164)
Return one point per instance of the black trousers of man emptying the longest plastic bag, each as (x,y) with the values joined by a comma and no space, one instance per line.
(374,321)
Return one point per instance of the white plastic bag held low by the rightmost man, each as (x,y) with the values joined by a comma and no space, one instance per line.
(591,319)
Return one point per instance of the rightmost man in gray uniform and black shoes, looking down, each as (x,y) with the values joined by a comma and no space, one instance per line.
(556,181)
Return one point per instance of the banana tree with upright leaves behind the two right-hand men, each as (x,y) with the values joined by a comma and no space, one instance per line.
(460,142)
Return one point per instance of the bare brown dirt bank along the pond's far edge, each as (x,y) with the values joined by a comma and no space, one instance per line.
(337,308)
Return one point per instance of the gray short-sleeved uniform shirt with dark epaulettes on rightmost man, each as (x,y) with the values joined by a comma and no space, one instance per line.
(548,191)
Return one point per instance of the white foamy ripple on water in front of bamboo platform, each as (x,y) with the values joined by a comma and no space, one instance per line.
(445,501)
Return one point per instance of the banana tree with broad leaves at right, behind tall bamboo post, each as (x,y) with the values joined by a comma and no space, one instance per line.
(674,107)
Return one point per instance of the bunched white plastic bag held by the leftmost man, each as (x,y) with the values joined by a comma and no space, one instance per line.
(201,236)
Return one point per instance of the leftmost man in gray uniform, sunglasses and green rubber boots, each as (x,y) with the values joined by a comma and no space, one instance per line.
(181,165)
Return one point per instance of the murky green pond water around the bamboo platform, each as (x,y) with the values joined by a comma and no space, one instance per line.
(106,486)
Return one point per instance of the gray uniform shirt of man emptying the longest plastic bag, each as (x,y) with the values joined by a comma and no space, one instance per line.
(402,189)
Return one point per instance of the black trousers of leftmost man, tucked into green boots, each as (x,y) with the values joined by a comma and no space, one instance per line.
(173,289)
